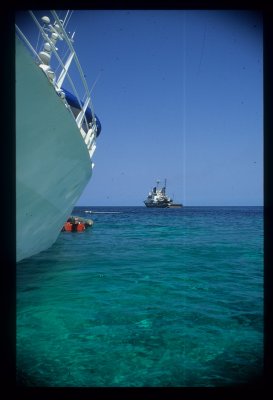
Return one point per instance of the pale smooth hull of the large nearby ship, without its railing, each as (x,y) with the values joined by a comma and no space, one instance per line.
(53,164)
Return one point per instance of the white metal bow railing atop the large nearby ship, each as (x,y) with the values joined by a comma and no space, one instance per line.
(88,130)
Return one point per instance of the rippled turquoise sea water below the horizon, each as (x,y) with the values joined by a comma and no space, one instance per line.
(146,297)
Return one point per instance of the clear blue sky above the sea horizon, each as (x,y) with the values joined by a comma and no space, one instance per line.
(180,97)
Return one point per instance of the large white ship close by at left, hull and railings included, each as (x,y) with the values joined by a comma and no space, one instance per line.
(56,131)
